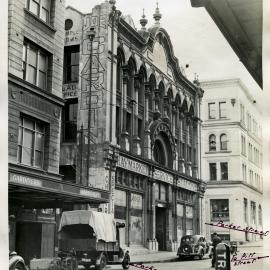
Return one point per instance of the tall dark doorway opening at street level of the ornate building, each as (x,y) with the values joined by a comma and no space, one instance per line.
(161,227)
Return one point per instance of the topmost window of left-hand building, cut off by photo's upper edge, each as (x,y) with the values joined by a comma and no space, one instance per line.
(40,8)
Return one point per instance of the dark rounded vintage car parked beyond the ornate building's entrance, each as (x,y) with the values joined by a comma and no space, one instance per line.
(193,246)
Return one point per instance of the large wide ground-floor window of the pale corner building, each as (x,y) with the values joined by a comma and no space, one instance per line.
(219,209)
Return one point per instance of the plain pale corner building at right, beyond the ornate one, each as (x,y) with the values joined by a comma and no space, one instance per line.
(232,158)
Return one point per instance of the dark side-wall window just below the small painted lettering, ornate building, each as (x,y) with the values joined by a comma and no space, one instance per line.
(70,124)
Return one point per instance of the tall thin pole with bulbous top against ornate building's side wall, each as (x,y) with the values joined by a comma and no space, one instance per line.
(91,33)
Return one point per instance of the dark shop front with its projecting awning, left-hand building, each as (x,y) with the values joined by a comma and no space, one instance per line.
(35,205)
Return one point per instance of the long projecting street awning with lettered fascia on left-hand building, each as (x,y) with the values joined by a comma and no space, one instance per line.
(37,192)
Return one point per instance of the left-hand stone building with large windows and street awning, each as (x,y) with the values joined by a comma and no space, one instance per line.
(36,190)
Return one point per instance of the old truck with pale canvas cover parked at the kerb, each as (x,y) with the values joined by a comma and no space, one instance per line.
(91,237)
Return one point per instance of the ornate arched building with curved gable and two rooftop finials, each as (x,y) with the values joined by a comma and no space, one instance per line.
(135,123)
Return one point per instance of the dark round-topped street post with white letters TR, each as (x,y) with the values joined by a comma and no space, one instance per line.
(223,260)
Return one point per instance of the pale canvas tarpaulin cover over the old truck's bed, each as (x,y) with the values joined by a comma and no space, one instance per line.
(103,224)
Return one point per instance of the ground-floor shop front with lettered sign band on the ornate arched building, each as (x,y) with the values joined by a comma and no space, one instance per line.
(157,206)
